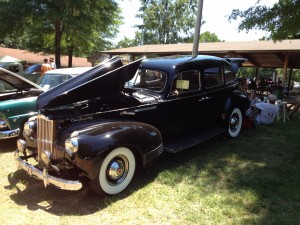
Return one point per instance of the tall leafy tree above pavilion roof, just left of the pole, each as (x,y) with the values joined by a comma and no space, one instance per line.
(167,21)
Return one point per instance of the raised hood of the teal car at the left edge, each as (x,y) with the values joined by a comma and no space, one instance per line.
(17,81)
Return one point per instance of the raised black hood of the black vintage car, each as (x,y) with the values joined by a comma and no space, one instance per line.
(105,79)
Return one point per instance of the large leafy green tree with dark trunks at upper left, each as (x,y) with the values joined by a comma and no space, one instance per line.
(59,26)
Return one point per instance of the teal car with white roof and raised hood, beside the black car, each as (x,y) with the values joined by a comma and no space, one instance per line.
(18,97)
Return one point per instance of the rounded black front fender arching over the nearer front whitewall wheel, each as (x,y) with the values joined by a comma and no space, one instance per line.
(96,141)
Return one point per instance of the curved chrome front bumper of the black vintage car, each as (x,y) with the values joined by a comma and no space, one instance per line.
(72,185)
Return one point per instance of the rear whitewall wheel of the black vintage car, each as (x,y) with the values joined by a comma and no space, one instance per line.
(234,123)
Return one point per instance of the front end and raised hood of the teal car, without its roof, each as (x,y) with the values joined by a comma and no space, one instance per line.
(17,102)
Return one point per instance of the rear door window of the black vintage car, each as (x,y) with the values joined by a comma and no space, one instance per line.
(212,77)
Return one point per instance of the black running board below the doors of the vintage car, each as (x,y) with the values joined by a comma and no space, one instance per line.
(188,141)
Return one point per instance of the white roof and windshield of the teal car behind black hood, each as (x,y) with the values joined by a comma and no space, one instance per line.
(55,77)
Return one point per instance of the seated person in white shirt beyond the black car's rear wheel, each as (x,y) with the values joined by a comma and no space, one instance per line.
(266,111)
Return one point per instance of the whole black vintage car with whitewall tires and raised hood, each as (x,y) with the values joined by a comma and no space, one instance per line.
(108,122)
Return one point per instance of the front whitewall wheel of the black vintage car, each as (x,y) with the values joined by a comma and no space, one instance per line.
(116,172)
